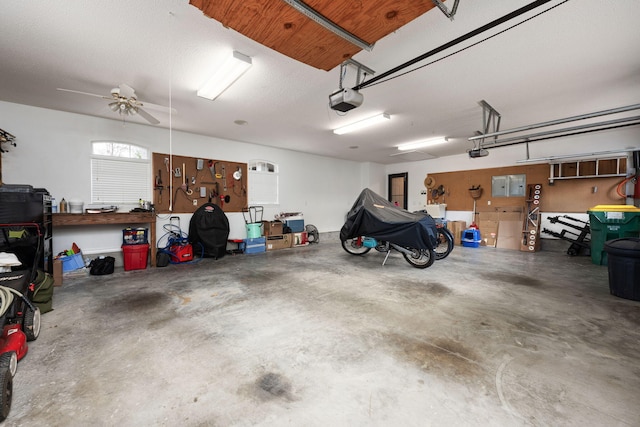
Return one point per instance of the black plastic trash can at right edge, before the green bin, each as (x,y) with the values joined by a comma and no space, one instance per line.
(624,267)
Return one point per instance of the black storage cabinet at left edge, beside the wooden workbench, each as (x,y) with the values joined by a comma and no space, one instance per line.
(23,204)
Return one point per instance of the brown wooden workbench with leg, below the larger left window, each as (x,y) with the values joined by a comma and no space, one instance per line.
(125,218)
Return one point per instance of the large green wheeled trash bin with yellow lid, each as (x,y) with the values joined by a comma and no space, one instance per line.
(609,222)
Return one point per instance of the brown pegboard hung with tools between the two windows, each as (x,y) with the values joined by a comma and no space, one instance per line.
(216,177)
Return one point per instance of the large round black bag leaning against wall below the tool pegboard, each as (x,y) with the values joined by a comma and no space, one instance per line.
(209,231)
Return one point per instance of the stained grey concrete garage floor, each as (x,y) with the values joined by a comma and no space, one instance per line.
(313,336)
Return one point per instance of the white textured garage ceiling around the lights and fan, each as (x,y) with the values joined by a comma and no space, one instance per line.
(578,57)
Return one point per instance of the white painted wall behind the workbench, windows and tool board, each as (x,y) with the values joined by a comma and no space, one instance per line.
(54,148)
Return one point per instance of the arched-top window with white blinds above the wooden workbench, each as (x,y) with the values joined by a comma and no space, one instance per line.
(120,173)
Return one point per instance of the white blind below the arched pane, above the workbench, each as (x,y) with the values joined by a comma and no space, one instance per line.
(120,181)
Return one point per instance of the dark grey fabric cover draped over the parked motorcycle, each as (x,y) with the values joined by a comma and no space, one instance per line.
(374,216)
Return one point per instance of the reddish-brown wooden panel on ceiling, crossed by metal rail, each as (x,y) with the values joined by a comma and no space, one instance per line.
(275,24)
